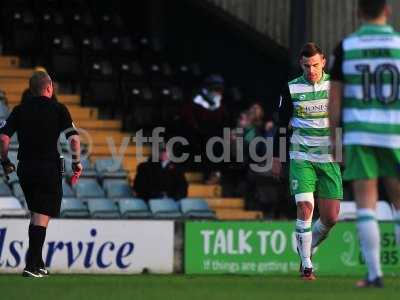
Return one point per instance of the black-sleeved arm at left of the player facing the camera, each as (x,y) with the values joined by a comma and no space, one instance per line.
(284,114)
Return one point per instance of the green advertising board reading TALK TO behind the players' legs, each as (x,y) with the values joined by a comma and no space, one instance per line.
(270,248)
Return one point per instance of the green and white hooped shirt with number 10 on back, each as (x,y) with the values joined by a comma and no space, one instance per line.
(368,62)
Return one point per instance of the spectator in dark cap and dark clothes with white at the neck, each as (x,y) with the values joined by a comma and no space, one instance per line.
(204,117)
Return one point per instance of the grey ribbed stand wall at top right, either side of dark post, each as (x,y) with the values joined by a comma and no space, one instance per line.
(331,19)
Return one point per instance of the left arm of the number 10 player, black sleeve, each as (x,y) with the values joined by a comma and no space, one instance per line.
(335,99)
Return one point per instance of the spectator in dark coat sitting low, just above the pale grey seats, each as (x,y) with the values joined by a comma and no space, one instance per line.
(160,178)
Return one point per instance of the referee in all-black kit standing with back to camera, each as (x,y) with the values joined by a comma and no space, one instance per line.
(38,123)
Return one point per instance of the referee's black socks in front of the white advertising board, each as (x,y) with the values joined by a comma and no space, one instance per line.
(37,235)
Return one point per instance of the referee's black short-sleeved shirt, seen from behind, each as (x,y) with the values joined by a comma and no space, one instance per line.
(38,123)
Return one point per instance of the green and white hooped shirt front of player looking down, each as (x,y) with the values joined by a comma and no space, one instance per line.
(311,134)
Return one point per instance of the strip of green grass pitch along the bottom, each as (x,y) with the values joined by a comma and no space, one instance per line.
(177,287)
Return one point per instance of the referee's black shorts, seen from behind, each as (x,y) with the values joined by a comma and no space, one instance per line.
(41,183)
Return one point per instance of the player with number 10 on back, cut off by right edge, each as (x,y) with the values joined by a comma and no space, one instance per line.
(365,96)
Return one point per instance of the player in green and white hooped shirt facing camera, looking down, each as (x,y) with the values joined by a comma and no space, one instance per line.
(304,105)
